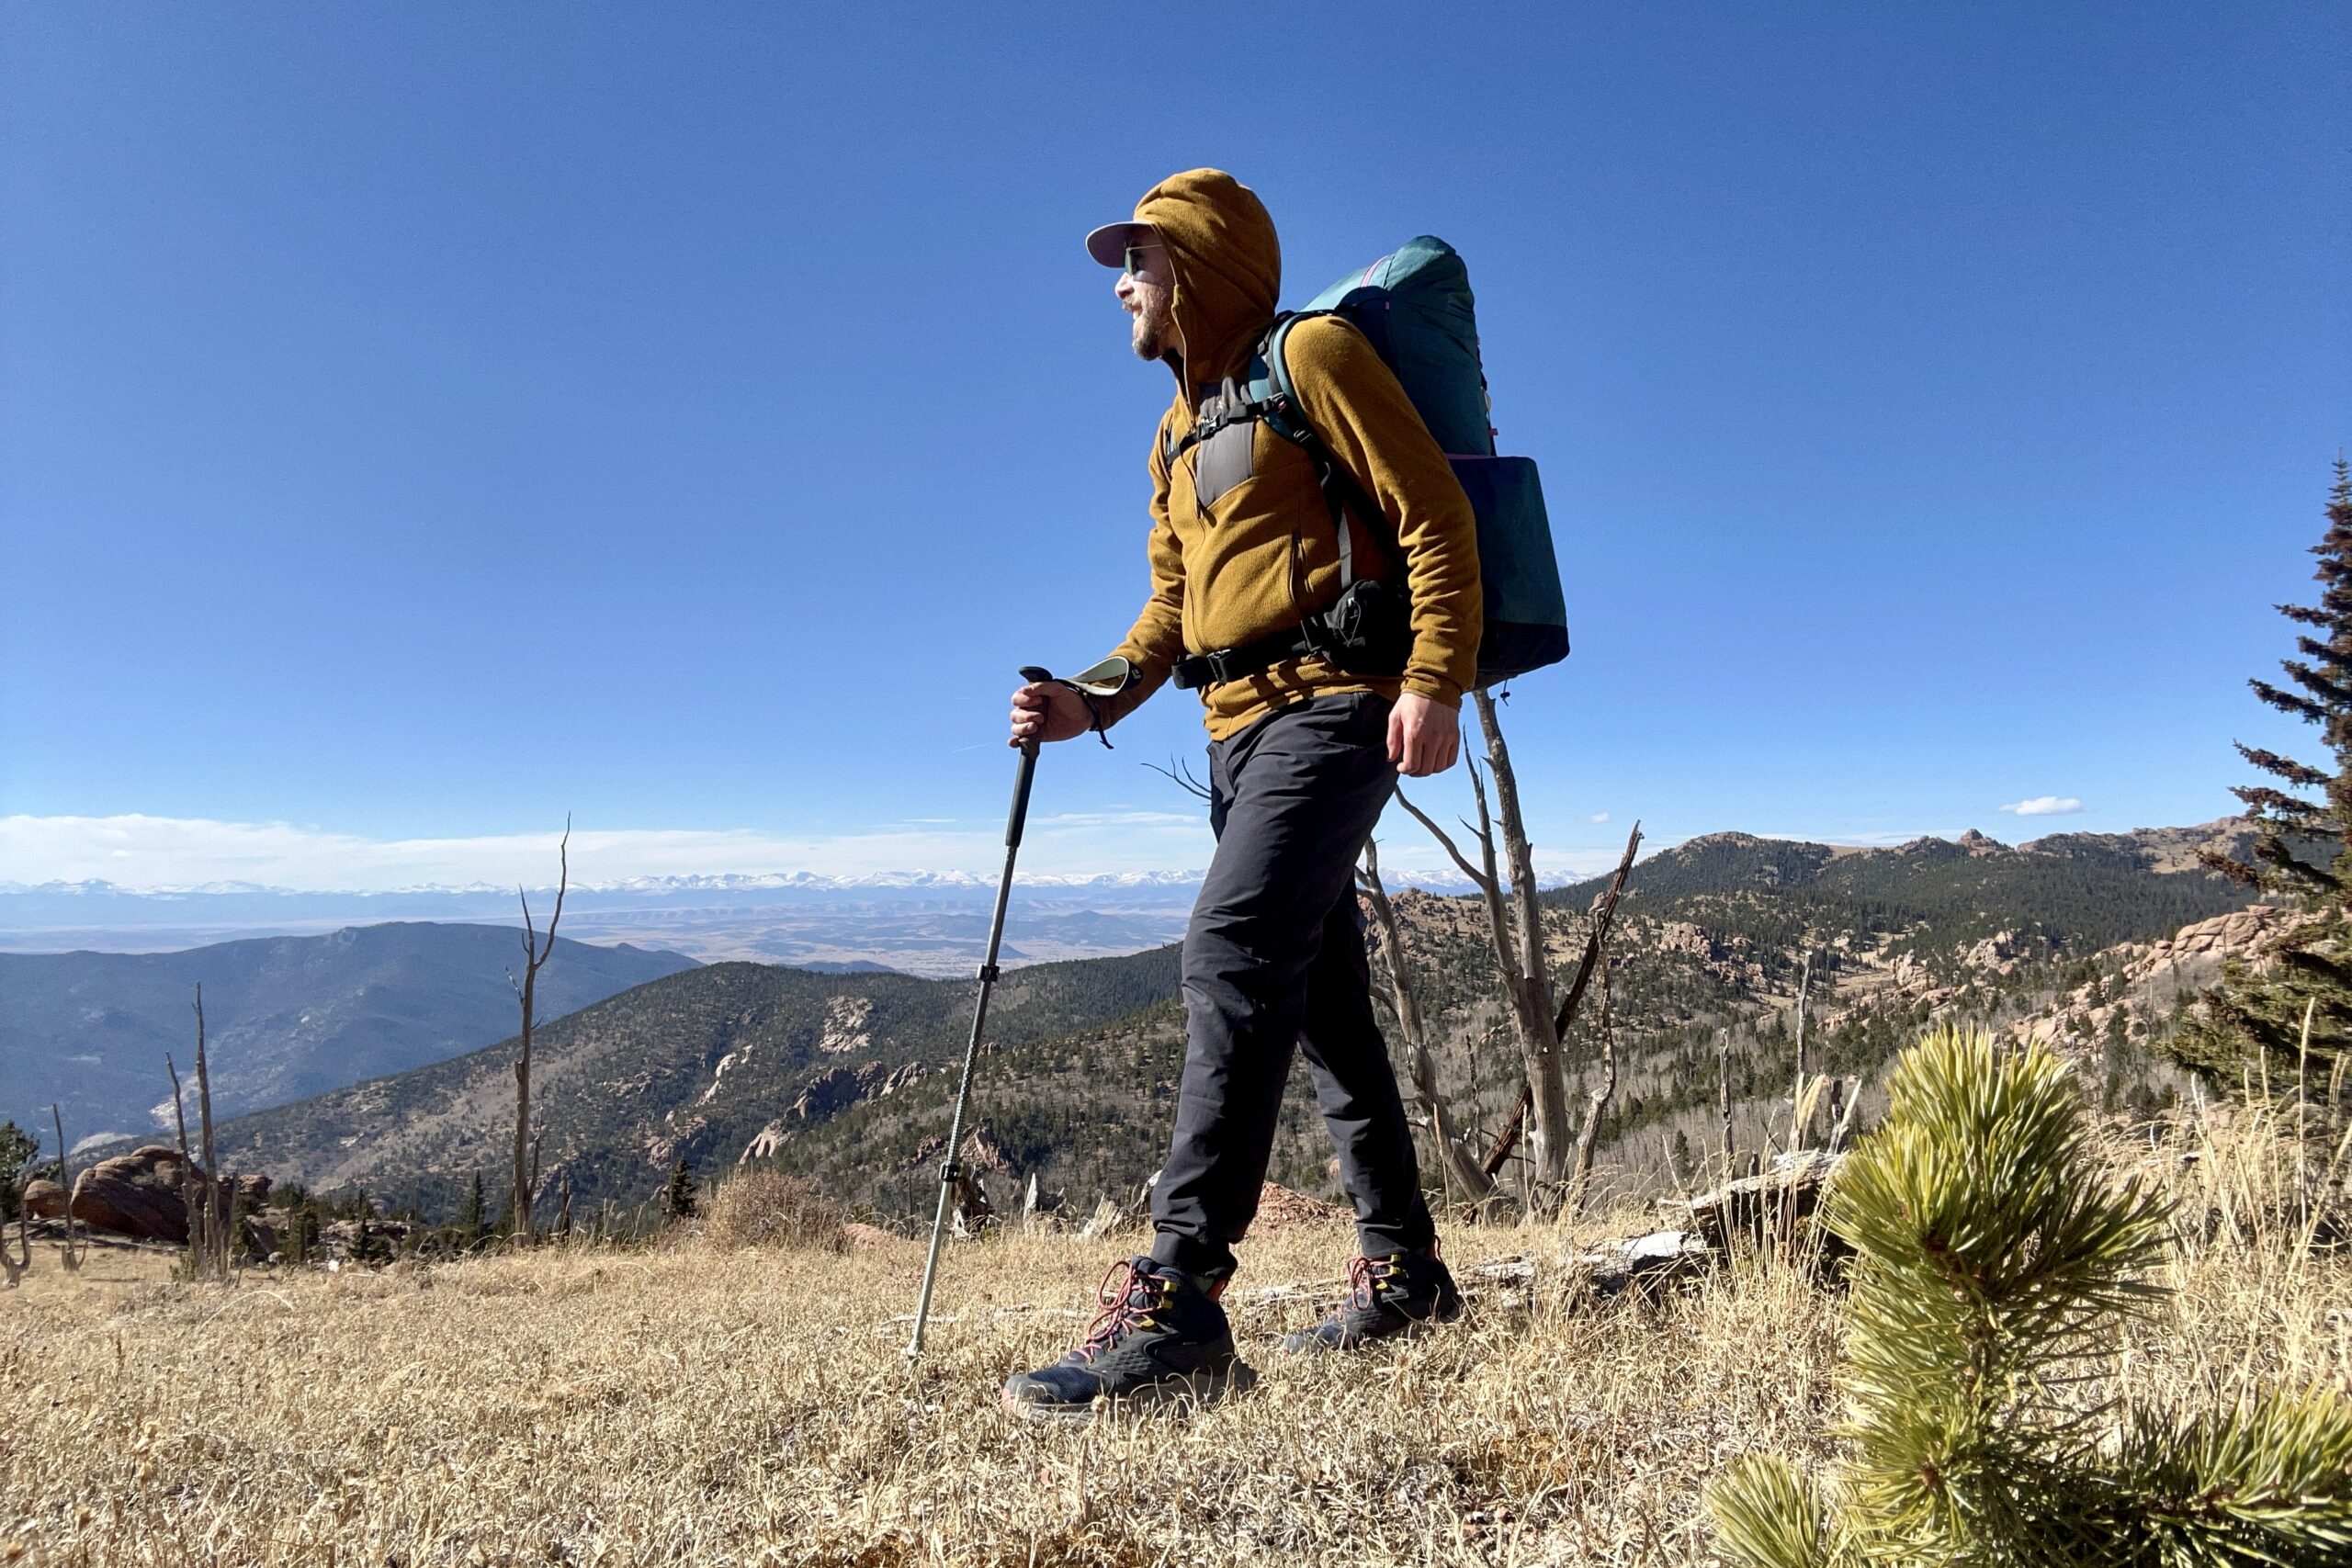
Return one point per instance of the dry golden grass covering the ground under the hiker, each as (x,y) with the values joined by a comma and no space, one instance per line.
(751,1407)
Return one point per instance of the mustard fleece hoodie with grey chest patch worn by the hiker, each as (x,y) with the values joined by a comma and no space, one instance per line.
(1262,556)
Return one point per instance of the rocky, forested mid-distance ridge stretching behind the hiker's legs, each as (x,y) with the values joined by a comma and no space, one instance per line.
(846,1076)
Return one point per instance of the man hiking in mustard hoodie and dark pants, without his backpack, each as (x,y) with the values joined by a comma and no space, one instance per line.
(1304,756)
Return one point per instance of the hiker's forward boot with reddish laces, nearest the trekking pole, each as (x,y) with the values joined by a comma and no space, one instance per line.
(1158,1339)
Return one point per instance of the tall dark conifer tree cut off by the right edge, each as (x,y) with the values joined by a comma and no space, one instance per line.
(2301,855)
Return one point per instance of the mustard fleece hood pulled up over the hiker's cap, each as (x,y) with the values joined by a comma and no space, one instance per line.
(1229,272)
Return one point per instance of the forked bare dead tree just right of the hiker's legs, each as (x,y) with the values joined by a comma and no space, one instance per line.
(1516,923)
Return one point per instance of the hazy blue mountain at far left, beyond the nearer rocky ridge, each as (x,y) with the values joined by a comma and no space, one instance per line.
(288,1017)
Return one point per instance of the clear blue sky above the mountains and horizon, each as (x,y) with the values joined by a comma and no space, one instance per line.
(422,422)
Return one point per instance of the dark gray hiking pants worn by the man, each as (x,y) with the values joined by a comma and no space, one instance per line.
(1276,960)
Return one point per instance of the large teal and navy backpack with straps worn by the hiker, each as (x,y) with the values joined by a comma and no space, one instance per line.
(1417,314)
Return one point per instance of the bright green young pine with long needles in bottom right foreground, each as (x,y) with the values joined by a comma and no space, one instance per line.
(1996,1264)
